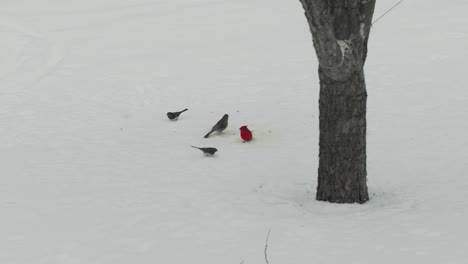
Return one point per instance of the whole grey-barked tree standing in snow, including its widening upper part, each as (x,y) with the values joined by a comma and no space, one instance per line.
(340,31)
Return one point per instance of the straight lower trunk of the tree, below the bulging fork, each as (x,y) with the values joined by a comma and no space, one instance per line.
(342,163)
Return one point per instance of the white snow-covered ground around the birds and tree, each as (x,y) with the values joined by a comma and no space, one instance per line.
(93,172)
